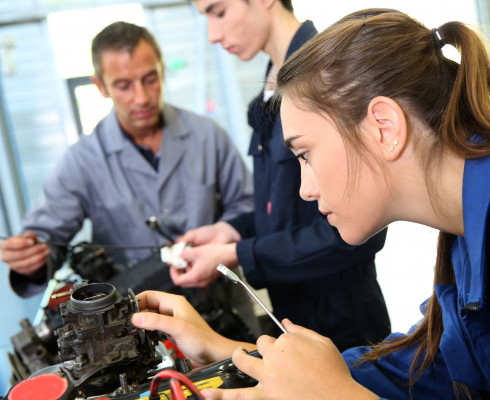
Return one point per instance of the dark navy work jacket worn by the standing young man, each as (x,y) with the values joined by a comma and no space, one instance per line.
(287,241)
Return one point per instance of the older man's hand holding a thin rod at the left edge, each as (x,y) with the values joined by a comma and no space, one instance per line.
(24,254)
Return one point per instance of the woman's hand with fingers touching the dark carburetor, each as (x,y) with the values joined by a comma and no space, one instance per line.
(173,315)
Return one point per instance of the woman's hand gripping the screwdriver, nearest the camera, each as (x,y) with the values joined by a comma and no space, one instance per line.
(300,364)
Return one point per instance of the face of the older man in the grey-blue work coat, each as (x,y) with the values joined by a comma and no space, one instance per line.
(134,83)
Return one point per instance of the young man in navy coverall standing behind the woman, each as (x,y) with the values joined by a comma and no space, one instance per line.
(313,277)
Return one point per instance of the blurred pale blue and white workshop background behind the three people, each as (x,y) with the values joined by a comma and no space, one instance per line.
(47,102)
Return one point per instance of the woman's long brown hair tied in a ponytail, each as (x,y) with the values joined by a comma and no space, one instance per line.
(340,70)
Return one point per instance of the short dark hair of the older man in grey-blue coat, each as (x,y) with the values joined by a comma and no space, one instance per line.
(120,36)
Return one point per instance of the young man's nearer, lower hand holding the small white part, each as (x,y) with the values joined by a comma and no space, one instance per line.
(202,262)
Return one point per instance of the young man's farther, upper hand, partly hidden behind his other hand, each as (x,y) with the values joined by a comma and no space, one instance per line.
(218,233)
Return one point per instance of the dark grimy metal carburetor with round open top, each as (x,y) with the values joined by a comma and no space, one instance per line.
(98,343)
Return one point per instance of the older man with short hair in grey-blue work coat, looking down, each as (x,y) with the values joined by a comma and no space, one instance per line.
(144,159)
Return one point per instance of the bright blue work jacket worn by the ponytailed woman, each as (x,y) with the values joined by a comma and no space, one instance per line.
(464,351)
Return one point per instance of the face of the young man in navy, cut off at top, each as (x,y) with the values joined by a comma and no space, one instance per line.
(241,27)
